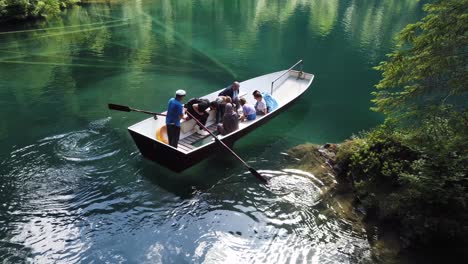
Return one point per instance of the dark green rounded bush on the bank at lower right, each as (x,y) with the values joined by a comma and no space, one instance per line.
(423,190)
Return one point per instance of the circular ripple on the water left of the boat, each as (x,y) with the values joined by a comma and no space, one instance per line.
(87,145)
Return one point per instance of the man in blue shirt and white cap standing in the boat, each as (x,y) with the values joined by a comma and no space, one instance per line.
(175,112)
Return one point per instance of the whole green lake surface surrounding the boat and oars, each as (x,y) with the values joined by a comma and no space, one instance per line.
(73,186)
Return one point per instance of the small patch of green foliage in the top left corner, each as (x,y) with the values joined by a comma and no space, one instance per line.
(22,9)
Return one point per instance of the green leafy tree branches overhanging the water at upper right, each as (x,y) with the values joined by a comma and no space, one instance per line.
(429,65)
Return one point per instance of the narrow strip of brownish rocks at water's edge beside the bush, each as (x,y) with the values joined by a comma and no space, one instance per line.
(339,194)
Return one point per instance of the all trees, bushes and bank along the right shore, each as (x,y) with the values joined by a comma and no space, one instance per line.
(409,176)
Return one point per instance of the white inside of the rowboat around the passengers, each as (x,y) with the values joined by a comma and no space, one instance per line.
(284,86)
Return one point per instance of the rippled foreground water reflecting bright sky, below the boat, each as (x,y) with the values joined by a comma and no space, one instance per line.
(74,205)
